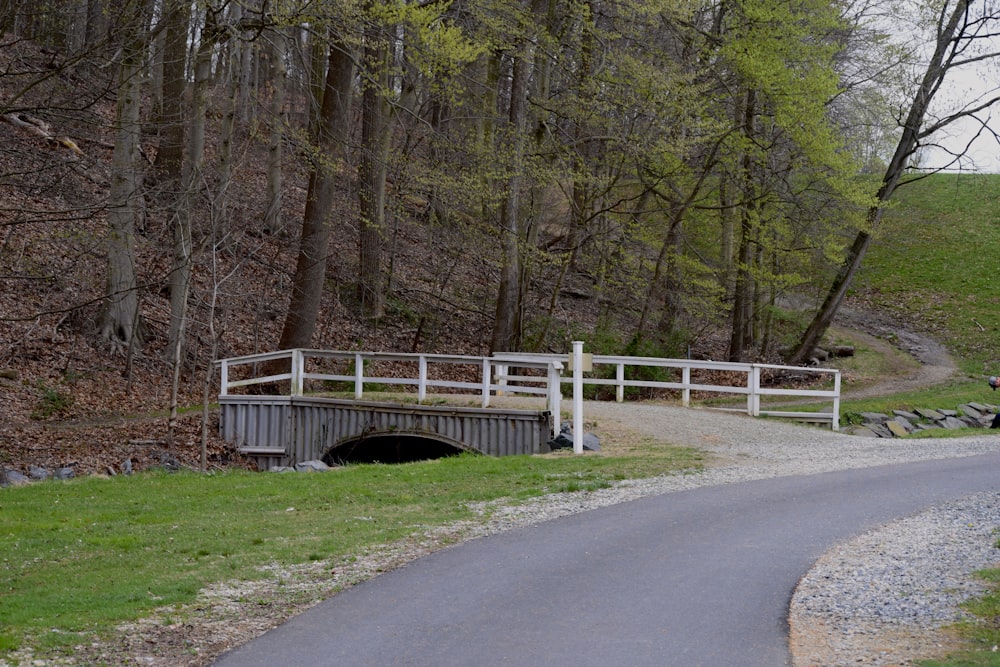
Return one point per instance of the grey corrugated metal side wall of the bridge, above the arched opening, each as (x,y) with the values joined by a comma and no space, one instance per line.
(285,430)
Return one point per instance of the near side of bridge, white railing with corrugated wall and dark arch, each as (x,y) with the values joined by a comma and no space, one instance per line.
(281,430)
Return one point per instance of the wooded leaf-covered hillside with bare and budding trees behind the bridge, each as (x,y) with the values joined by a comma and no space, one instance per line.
(187,180)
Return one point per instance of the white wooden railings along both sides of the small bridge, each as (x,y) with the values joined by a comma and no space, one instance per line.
(534,374)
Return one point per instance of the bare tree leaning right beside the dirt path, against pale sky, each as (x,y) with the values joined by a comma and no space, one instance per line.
(957,32)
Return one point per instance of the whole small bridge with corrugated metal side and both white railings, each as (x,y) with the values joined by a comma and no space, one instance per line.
(304,415)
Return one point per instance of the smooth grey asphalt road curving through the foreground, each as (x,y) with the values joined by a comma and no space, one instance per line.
(699,577)
